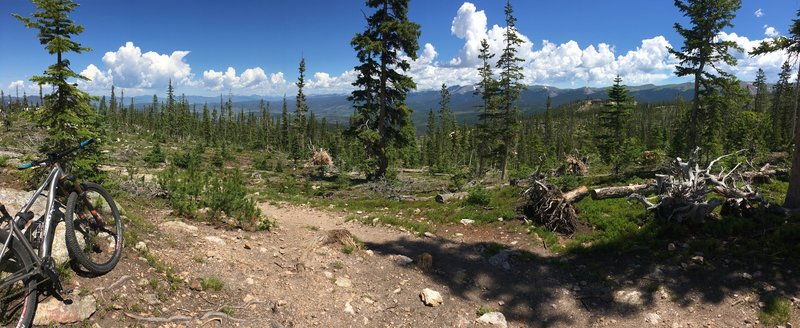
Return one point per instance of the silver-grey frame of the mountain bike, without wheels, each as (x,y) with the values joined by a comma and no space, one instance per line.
(51,183)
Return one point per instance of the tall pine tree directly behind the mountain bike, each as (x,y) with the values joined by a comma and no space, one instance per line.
(69,117)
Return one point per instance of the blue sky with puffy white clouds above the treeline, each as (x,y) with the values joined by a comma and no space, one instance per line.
(253,47)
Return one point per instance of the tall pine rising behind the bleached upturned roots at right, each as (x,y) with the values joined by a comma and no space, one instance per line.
(700,57)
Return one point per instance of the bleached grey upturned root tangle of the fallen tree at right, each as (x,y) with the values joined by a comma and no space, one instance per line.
(683,195)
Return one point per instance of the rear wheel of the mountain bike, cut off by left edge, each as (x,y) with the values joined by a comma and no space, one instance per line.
(17,301)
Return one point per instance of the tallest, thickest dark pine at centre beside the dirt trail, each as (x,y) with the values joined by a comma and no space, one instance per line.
(381,86)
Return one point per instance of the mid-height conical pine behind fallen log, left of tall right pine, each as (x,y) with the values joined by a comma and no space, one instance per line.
(613,122)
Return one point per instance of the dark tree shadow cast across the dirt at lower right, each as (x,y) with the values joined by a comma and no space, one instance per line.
(605,281)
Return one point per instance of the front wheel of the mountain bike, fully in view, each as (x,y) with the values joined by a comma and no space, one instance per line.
(93,229)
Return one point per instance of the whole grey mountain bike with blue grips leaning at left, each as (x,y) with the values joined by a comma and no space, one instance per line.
(93,237)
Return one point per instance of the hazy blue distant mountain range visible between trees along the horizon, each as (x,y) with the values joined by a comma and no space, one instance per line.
(336,107)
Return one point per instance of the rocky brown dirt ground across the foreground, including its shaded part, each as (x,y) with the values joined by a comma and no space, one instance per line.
(310,272)
